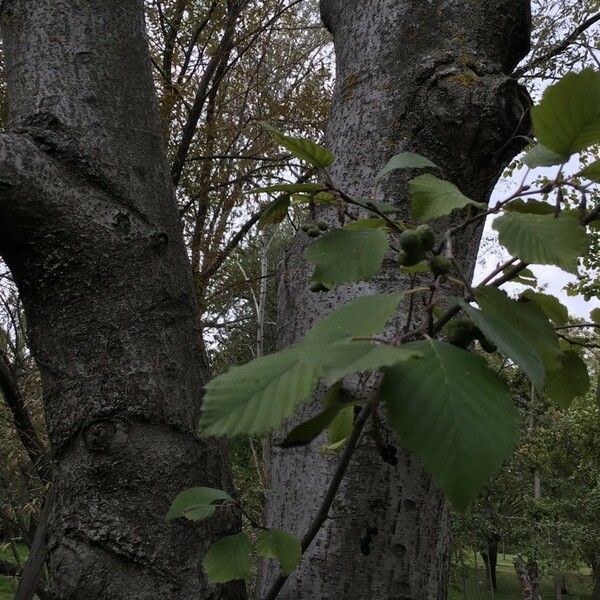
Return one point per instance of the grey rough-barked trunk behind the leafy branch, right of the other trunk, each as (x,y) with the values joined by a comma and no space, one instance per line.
(429,77)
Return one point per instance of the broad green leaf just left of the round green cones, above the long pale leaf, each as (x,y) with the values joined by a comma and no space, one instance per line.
(344,256)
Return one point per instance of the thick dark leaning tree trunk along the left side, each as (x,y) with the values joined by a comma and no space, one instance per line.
(89,228)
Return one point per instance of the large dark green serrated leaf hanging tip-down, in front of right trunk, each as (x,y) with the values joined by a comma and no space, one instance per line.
(454,414)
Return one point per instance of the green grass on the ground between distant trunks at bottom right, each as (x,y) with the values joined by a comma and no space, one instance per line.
(579,585)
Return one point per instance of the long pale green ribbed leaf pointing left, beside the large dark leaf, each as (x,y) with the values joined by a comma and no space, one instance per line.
(258,396)
